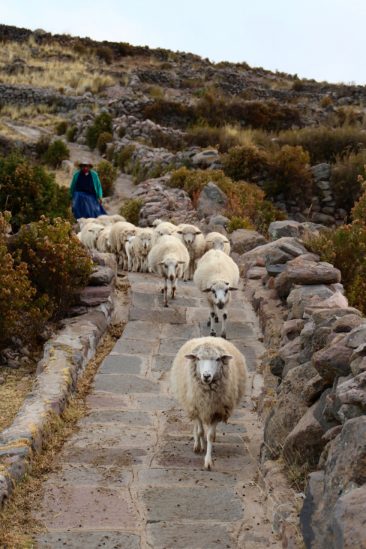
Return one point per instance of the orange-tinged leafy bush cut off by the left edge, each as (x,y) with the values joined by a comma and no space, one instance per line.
(20,313)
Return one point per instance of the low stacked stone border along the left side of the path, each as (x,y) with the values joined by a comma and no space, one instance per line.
(65,357)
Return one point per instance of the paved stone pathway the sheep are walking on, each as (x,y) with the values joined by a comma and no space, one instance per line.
(129,478)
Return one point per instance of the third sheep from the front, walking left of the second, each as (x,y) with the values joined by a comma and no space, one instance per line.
(168,258)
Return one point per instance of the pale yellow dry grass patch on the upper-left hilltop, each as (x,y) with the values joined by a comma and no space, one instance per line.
(53,66)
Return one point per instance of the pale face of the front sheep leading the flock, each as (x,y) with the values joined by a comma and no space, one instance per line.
(209,364)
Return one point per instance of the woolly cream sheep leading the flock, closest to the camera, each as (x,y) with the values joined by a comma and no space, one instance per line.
(208,379)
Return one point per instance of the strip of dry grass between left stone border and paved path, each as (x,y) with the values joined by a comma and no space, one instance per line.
(17,524)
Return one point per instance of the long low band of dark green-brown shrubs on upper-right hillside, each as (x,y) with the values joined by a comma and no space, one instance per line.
(325,144)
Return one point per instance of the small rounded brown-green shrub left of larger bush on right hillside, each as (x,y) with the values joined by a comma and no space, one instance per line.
(245,163)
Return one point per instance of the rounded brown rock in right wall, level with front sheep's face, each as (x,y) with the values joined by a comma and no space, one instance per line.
(332,362)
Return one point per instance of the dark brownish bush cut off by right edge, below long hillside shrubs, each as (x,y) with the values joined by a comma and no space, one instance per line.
(346,186)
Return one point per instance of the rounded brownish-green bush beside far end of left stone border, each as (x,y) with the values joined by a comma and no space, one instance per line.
(58,264)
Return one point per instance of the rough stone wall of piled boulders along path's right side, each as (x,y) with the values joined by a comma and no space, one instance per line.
(315,397)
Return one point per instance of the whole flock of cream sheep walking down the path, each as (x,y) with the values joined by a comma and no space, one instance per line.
(208,374)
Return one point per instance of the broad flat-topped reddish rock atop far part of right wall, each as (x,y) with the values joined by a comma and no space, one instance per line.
(306,273)
